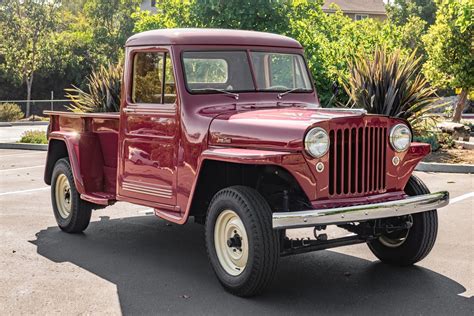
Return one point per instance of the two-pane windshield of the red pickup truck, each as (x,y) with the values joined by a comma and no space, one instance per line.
(211,71)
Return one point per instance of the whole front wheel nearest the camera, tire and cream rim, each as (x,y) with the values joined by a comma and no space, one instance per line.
(241,244)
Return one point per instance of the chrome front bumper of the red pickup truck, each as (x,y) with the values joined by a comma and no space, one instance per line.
(359,213)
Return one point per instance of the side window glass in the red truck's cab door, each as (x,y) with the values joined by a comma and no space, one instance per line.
(148,86)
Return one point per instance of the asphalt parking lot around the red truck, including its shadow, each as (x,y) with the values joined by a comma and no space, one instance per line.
(131,263)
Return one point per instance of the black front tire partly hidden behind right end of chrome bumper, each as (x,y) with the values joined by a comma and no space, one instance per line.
(421,236)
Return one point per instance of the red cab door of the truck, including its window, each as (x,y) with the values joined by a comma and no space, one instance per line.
(149,130)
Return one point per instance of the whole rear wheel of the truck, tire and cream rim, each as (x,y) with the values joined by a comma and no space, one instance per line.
(72,213)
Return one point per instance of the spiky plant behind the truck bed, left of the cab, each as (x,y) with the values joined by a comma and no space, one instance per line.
(103,91)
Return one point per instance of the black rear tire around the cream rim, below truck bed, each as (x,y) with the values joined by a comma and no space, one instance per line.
(80,213)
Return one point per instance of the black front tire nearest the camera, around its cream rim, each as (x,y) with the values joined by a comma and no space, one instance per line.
(263,241)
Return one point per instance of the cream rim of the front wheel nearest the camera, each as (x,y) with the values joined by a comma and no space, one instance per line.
(231,242)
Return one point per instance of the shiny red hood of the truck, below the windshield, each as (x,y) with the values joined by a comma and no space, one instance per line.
(280,128)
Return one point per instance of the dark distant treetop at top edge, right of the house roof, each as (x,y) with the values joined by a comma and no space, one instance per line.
(401,10)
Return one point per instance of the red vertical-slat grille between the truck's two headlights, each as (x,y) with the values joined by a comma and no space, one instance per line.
(357,163)
